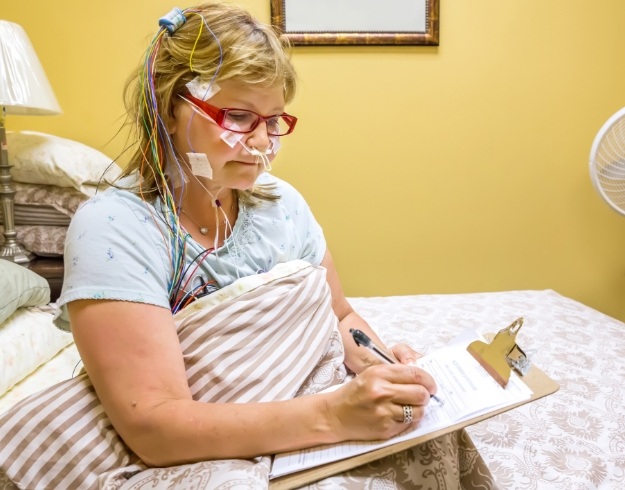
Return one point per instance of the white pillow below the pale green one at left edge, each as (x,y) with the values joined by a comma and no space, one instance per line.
(28,338)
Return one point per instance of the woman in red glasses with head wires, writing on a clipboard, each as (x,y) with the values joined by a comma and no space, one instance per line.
(195,212)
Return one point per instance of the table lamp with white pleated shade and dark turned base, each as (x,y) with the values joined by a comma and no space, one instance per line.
(24,90)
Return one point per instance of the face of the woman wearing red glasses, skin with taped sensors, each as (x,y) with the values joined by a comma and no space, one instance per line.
(233,168)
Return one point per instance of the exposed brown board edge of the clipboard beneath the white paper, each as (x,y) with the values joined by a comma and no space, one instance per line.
(540,384)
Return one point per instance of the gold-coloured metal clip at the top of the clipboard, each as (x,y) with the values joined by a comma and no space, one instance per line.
(502,354)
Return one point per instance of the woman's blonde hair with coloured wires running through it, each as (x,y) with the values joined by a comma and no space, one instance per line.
(249,51)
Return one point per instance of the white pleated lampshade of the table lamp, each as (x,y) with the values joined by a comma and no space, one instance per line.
(24,88)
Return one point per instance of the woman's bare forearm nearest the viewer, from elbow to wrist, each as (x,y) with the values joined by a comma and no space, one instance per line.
(184,431)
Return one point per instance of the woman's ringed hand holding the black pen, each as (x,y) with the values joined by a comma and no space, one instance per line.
(370,406)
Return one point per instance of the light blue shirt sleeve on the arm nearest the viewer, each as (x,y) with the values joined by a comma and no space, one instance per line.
(115,250)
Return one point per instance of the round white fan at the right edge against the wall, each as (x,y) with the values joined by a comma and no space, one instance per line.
(607,162)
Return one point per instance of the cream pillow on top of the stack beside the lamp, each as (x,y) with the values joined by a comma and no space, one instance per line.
(40,158)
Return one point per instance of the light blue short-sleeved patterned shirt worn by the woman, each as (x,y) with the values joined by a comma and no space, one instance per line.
(117,247)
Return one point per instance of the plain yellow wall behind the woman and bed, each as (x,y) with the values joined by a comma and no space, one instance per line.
(457,168)
